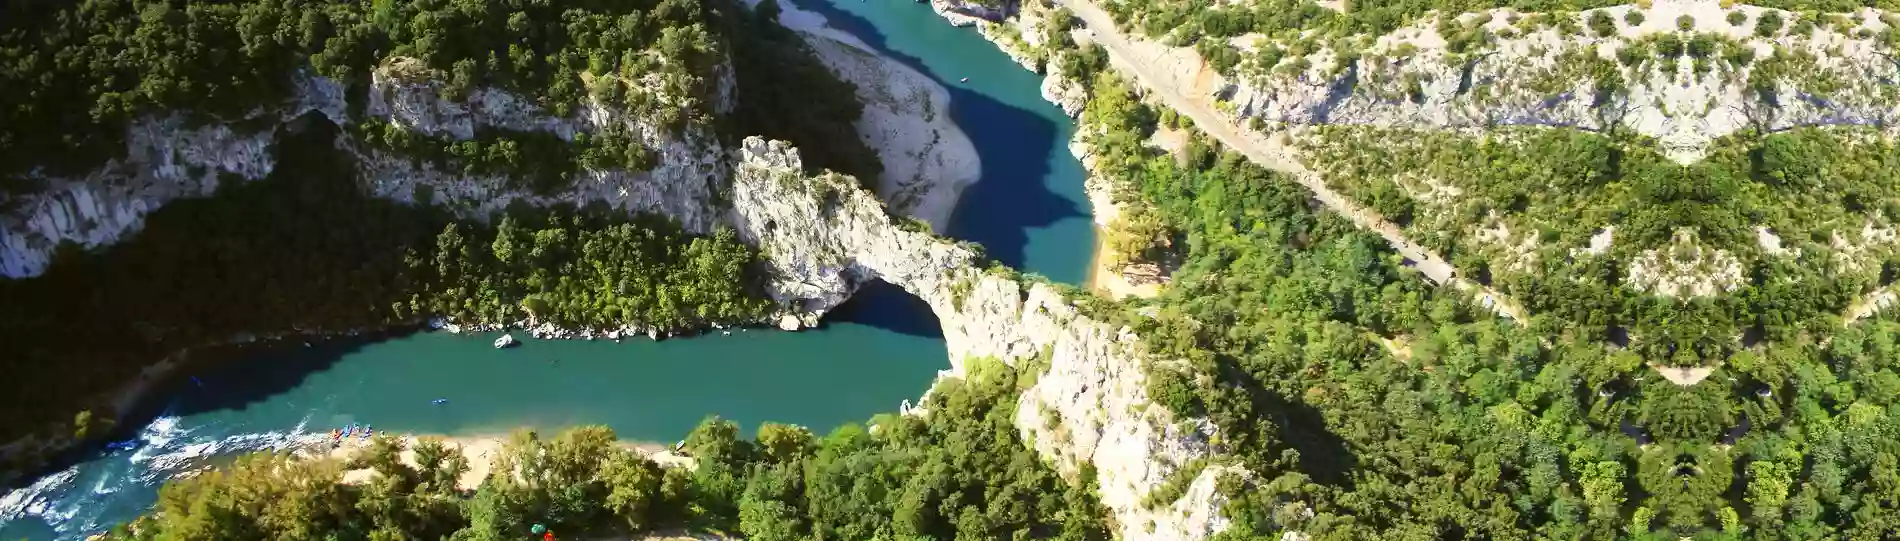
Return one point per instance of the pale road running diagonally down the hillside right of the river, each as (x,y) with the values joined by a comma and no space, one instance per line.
(1173,75)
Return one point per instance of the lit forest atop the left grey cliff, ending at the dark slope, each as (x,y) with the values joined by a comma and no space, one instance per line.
(85,69)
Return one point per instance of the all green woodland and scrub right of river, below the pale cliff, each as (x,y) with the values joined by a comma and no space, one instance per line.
(1371,405)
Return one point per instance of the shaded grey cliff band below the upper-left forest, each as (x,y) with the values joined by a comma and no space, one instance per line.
(168,159)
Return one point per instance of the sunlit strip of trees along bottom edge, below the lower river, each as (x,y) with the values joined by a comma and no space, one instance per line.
(960,474)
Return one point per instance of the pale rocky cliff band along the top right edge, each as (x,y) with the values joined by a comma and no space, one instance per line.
(1530,75)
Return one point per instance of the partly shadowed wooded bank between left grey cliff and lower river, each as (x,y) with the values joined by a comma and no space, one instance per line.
(307,252)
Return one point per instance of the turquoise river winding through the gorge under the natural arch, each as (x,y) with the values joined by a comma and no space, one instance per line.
(879,350)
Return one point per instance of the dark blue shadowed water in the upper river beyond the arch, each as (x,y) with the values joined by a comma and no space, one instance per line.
(1016,147)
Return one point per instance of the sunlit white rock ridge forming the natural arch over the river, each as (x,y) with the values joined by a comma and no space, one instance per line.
(1090,407)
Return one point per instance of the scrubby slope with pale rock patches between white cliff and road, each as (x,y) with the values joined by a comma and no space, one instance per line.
(1770,240)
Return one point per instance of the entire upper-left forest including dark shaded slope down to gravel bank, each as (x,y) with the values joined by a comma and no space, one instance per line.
(85,69)
